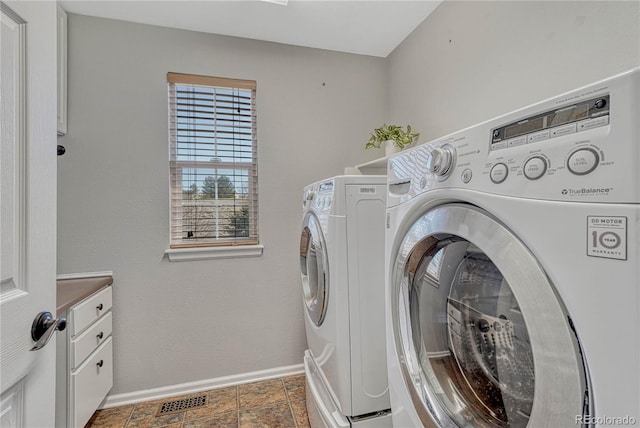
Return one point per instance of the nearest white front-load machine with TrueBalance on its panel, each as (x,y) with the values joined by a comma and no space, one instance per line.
(513,268)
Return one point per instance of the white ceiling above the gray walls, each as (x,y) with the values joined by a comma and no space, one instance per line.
(367,27)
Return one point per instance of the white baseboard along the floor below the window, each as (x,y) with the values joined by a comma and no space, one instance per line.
(198,386)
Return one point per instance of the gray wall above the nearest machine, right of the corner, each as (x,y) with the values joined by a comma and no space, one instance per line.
(471,61)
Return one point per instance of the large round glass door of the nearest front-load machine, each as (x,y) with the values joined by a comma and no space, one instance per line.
(482,338)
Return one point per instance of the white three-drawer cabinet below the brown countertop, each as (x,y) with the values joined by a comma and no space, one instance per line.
(85,359)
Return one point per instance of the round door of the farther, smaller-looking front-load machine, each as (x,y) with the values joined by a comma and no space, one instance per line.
(314,268)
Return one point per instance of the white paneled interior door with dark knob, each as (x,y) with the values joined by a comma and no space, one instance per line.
(28,210)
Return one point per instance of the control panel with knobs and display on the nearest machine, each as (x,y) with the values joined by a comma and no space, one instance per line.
(582,146)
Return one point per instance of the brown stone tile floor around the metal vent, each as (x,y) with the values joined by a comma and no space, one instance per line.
(266,404)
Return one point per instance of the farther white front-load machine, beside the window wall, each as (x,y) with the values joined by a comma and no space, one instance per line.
(342,266)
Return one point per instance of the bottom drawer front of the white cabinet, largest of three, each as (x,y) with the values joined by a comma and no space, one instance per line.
(91,383)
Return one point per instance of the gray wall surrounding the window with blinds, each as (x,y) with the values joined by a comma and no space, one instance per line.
(189,321)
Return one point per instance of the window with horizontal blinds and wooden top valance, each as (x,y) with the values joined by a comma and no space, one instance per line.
(213,161)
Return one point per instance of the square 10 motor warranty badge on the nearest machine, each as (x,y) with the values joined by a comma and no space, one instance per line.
(607,237)
